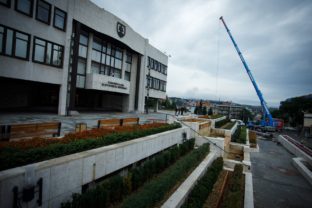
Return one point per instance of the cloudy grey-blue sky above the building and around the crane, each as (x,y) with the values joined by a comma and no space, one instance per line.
(275,37)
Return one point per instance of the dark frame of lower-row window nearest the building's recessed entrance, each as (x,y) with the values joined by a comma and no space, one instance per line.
(45,53)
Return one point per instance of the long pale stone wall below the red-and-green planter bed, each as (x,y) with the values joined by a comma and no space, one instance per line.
(66,175)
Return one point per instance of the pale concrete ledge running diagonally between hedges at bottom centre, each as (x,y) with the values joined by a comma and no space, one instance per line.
(179,196)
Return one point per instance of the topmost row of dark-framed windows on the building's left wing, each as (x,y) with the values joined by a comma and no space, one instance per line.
(43,11)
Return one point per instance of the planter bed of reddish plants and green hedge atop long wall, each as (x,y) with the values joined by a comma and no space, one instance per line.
(14,154)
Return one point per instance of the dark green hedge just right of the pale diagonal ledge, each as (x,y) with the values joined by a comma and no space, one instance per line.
(204,186)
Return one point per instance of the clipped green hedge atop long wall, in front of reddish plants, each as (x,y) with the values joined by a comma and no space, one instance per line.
(12,157)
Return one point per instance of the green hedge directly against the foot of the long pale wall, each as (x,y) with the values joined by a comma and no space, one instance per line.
(117,187)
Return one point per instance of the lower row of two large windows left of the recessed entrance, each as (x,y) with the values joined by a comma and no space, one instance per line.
(16,44)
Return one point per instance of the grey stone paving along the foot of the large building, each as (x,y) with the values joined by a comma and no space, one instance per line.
(69,122)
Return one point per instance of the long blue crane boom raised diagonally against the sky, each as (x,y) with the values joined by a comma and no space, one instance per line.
(267,119)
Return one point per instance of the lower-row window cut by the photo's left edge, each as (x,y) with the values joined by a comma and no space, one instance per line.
(14,43)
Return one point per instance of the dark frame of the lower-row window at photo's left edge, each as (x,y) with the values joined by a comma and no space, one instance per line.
(3,53)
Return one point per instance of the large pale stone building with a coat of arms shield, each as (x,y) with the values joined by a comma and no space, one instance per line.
(72,55)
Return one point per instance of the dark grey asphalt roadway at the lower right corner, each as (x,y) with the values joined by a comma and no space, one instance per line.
(276,181)
